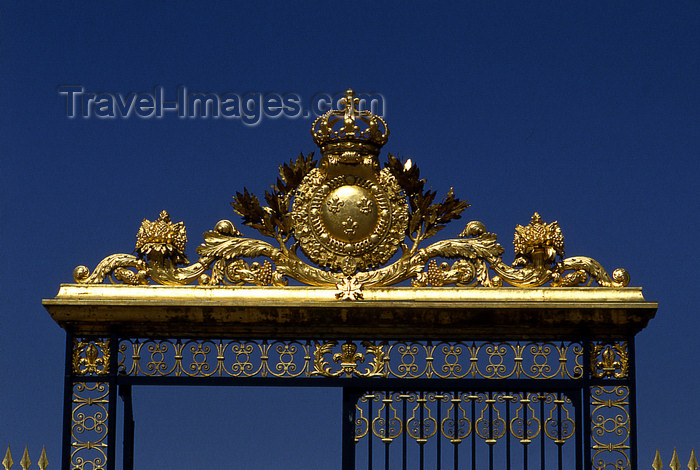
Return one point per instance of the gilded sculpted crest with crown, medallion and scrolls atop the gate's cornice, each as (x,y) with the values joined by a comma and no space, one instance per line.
(349,216)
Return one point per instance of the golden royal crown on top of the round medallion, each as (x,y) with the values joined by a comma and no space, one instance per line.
(337,131)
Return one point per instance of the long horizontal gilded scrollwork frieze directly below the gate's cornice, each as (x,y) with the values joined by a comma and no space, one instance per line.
(391,359)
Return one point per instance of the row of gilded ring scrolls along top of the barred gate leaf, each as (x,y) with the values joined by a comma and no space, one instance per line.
(490,420)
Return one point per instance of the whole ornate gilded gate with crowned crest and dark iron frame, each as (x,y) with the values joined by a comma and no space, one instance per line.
(455,371)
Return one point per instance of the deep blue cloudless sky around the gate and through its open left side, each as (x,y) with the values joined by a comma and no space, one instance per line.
(586,112)
